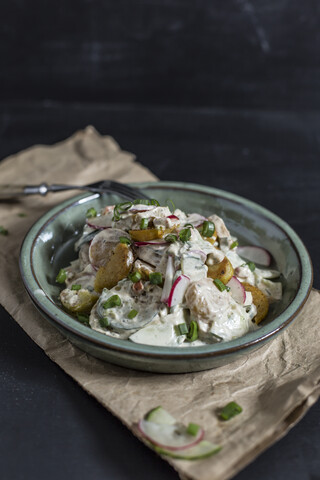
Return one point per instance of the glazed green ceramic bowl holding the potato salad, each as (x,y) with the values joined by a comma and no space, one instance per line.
(49,246)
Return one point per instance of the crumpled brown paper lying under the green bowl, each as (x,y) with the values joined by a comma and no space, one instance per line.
(275,385)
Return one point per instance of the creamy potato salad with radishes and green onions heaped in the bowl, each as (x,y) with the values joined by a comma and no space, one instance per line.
(164,277)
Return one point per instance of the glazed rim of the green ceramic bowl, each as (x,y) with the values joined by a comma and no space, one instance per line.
(55,313)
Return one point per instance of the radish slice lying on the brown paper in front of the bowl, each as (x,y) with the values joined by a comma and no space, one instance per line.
(172,437)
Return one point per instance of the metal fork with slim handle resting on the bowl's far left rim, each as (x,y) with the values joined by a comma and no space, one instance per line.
(9,191)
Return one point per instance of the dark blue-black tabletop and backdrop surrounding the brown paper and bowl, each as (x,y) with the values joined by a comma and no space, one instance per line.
(223,93)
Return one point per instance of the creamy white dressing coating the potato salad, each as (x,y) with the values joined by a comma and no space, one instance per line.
(141,315)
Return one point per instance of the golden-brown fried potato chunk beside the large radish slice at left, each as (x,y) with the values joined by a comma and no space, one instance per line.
(116,269)
